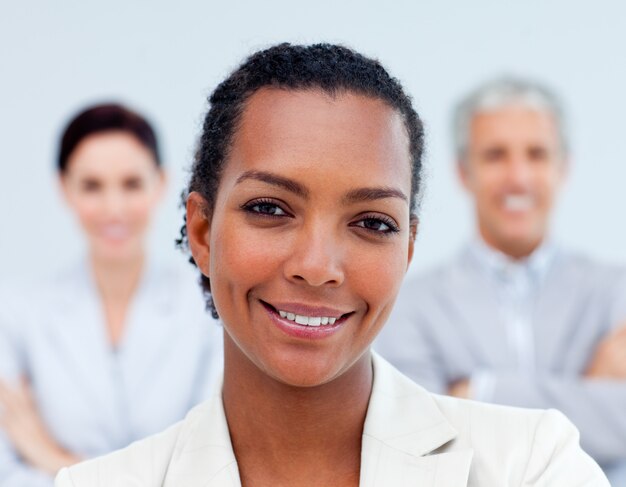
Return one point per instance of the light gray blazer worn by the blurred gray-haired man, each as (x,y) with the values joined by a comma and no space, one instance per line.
(445,327)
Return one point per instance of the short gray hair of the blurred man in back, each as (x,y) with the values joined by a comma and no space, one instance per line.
(500,93)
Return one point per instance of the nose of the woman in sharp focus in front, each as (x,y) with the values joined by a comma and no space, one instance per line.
(316,258)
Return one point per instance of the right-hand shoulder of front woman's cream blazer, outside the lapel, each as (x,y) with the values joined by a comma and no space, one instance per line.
(538,447)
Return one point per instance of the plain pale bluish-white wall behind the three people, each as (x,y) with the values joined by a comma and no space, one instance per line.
(164,58)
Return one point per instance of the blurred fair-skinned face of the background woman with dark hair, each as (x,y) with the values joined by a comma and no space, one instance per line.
(113,185)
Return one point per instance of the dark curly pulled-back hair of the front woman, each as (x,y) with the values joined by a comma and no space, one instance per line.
(333,69)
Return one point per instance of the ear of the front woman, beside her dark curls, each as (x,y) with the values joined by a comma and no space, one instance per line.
(198,231)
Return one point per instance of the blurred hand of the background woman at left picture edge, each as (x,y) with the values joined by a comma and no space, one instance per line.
(20,420)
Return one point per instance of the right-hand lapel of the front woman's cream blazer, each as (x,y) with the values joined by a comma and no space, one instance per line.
(405,435)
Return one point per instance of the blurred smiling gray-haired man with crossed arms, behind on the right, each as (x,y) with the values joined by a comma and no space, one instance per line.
(516,319)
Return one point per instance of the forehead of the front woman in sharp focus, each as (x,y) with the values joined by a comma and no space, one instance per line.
(310,128)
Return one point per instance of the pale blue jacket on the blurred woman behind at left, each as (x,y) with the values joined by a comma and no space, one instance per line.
(95,398)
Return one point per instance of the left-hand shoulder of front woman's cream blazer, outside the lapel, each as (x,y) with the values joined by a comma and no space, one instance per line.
(144,462)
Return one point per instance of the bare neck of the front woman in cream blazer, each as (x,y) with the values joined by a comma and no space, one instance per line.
(286,435)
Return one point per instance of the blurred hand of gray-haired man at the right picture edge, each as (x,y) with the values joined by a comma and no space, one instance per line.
(609,360)
